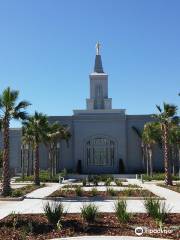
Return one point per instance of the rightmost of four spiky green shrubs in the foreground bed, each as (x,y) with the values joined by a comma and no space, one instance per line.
(156,209)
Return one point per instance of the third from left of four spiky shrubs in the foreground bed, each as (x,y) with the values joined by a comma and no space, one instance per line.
(121,213)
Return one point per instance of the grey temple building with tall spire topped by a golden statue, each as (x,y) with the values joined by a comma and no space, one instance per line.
(103,139)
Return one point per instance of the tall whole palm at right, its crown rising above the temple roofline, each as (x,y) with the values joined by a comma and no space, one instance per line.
(167,118)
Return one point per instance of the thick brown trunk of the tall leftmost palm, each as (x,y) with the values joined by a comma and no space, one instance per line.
(6,188)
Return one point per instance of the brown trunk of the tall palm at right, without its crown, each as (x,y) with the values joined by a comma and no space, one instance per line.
(168,178)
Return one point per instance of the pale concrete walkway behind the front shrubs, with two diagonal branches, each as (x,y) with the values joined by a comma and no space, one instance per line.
(34,202)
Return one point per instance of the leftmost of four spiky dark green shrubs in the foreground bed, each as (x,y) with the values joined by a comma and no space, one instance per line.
(54,212)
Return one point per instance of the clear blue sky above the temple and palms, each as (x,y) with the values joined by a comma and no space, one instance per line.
(47,51)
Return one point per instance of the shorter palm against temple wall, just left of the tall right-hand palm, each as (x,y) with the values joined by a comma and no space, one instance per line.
(150,137)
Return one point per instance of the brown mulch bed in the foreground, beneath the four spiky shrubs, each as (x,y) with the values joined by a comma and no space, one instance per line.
(36,227)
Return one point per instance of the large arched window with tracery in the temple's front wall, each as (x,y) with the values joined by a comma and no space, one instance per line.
(100,151)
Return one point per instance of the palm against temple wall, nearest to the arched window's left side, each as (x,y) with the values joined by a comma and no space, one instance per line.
(55,134)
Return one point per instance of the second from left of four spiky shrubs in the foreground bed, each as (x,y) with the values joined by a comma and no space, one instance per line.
(89,213)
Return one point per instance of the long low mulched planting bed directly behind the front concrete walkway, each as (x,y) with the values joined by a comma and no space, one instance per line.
(72,193)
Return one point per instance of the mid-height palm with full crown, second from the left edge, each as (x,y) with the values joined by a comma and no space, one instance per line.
(36,128)
